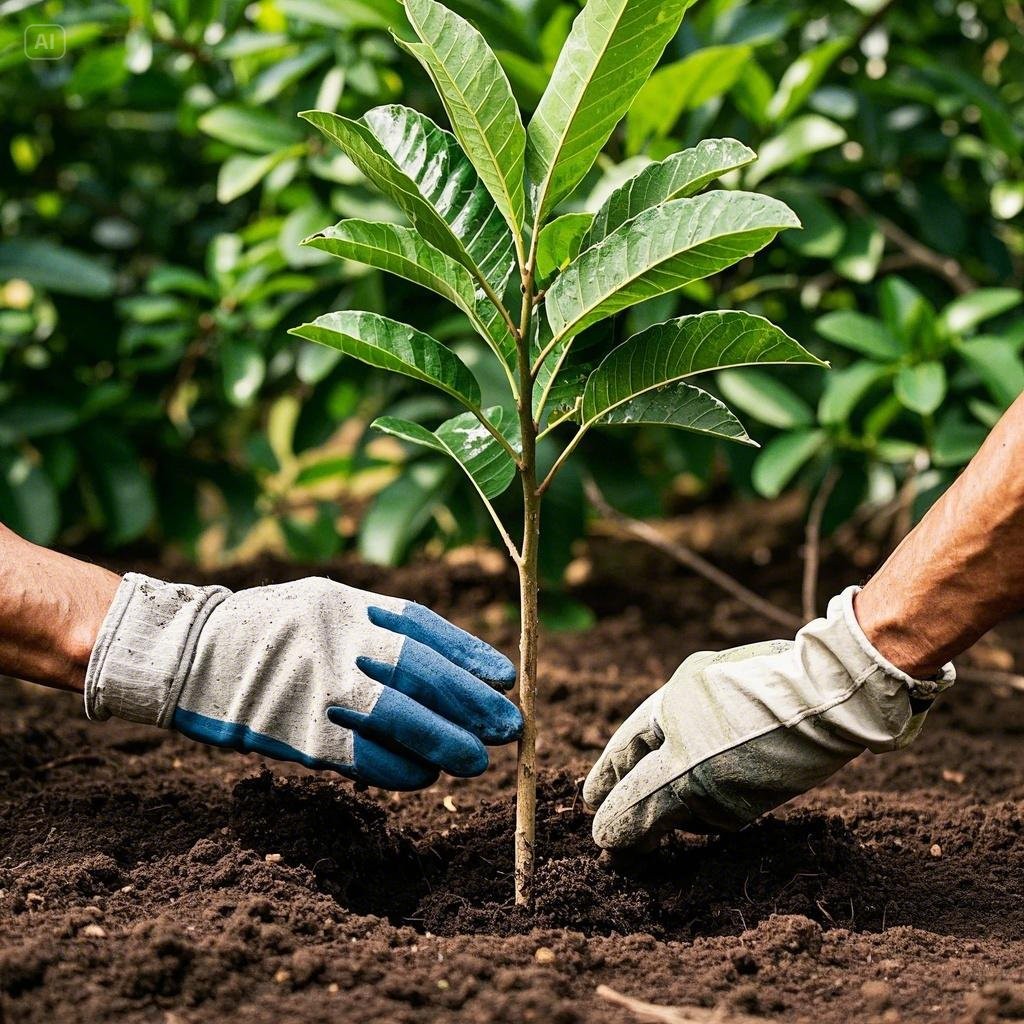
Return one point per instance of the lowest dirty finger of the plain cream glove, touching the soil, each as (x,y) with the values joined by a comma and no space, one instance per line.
(643,807)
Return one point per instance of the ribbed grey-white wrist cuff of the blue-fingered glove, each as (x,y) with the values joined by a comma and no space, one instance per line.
(146,648)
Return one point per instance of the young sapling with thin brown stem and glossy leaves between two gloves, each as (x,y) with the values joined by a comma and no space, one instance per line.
(482,205)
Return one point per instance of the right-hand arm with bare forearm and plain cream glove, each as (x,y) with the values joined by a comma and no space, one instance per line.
(734,735)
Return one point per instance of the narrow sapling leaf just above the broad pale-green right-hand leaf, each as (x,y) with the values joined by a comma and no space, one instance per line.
(680,177)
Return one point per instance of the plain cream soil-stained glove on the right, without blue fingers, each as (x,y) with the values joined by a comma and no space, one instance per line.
(734,735)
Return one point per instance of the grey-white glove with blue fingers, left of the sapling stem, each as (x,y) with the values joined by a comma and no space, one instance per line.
(378,690)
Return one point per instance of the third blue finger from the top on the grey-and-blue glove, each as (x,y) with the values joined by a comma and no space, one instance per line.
(397,719)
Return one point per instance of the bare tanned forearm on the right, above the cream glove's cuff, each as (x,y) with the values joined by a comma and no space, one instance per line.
(961,571)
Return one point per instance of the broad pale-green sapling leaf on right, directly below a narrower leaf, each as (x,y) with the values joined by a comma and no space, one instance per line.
(661,250)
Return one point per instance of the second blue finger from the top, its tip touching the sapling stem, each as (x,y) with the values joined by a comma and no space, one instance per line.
(435,682)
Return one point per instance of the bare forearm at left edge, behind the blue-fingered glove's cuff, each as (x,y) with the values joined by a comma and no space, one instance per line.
(52,608)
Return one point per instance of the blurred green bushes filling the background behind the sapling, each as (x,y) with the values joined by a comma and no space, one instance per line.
(155,185)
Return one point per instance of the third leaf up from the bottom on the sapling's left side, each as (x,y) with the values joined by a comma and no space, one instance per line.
(405,252)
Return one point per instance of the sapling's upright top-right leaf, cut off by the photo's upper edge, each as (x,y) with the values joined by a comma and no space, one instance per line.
(613,48)
